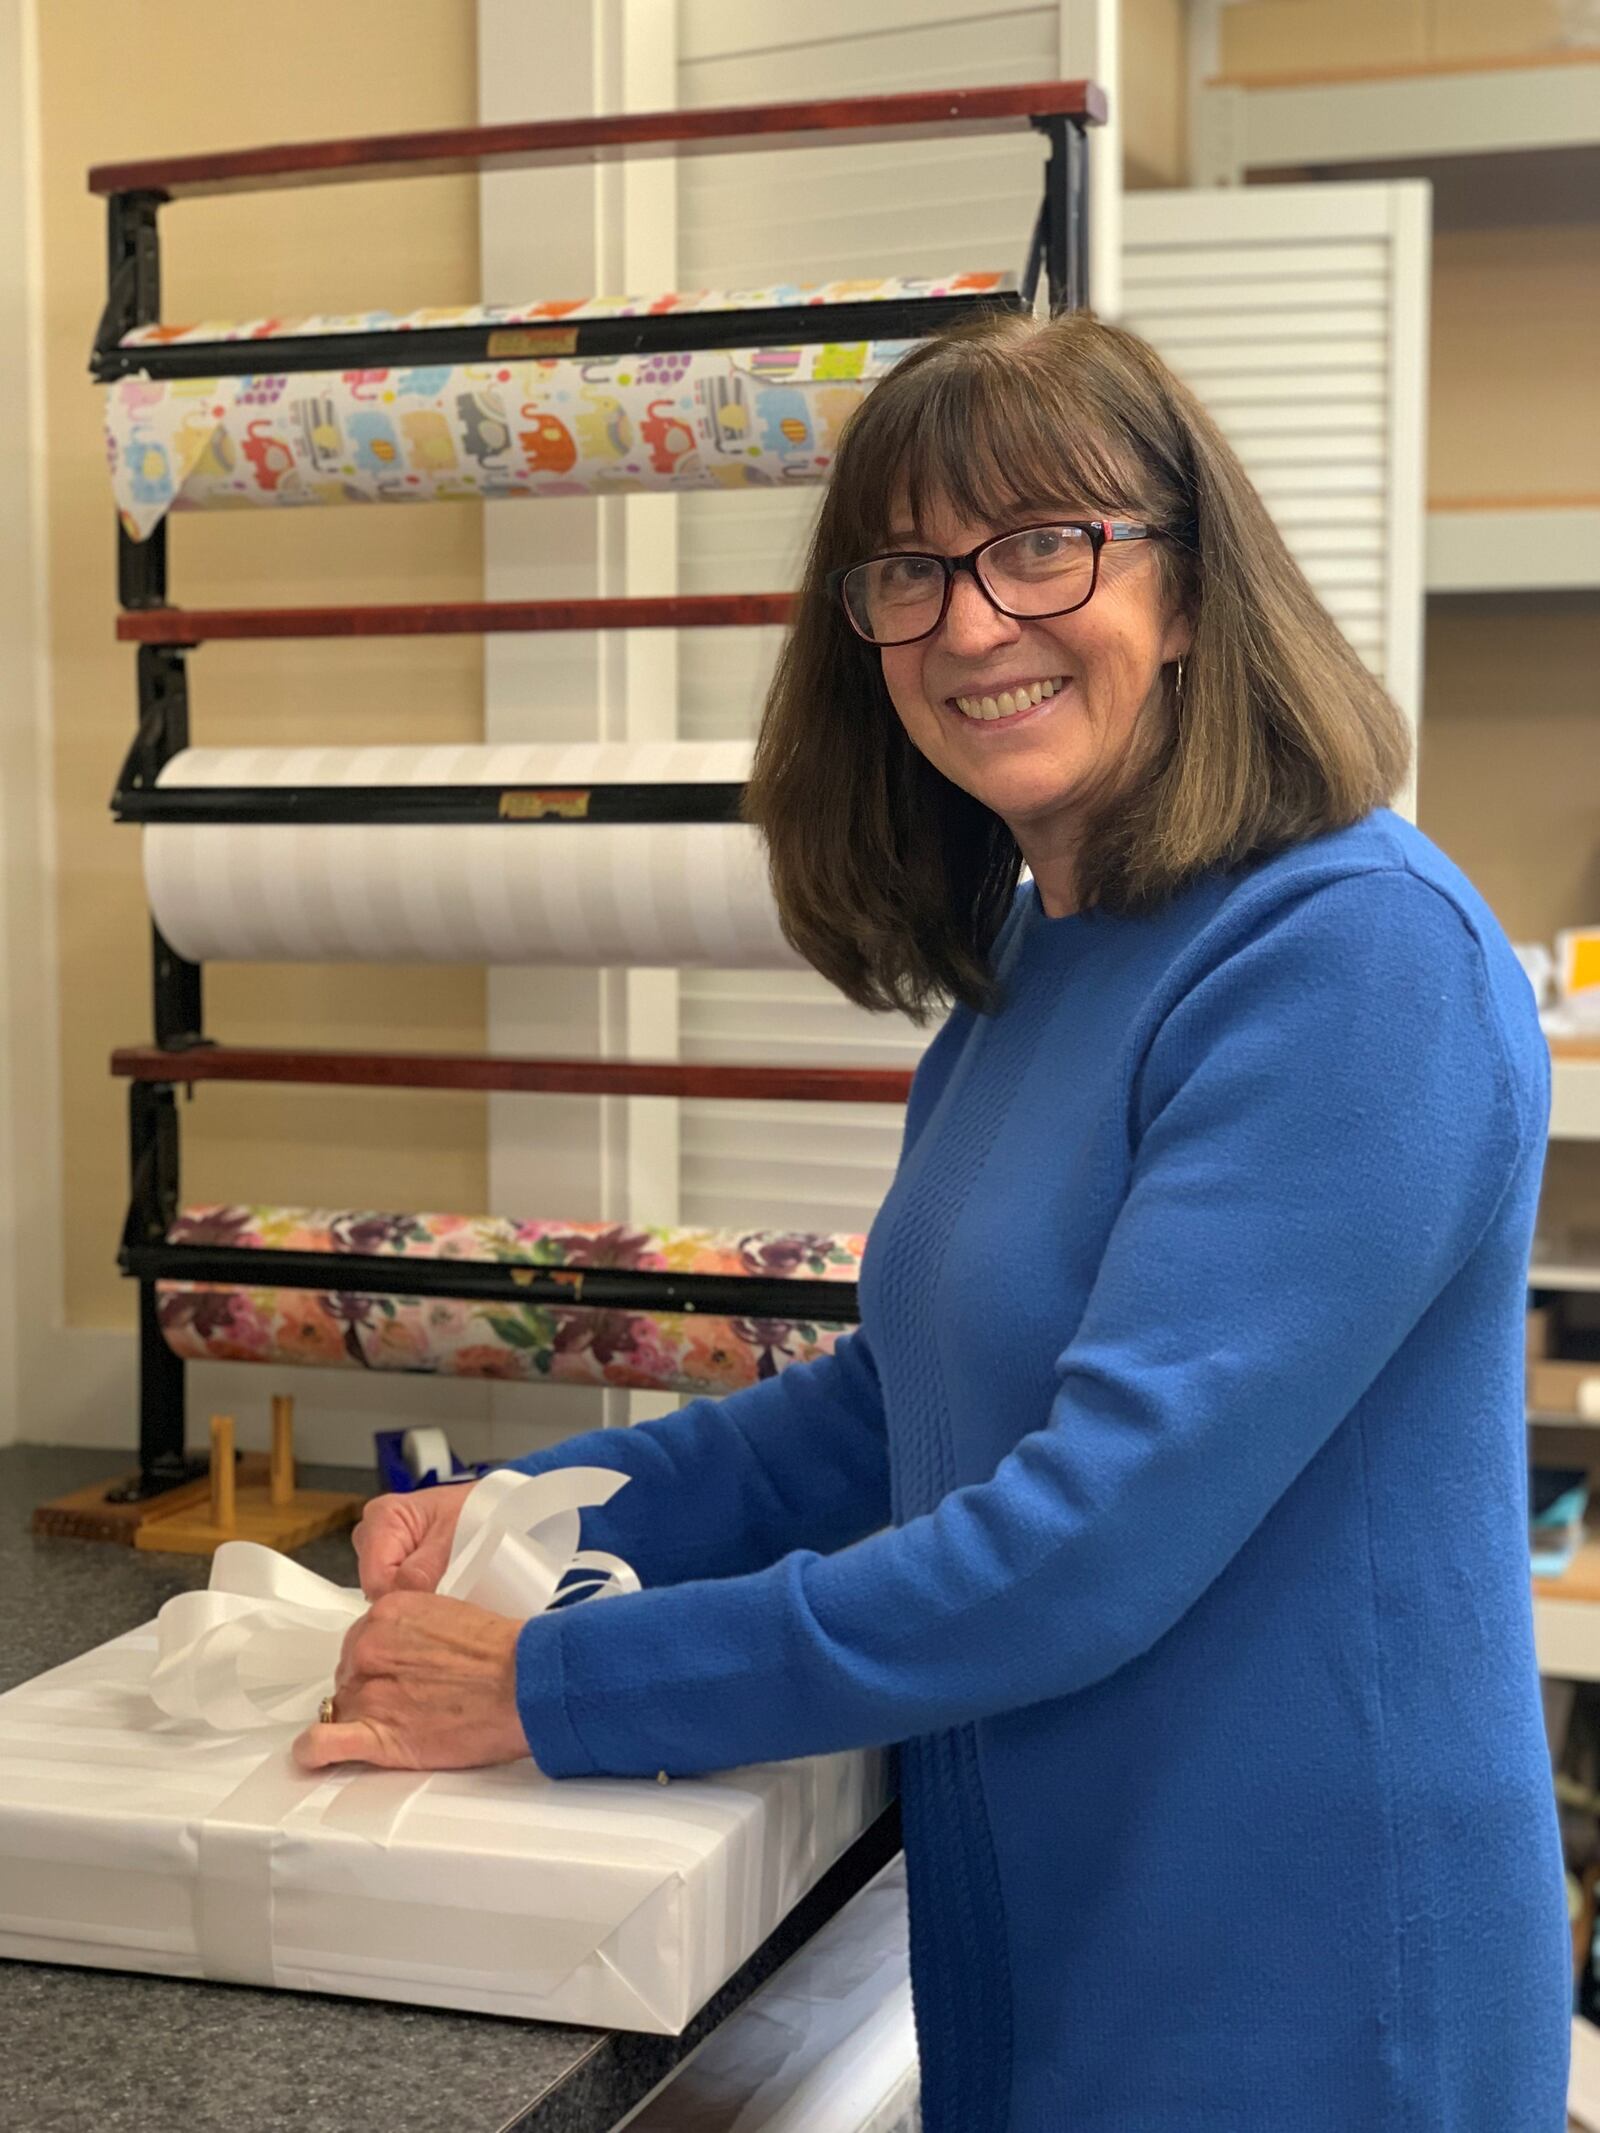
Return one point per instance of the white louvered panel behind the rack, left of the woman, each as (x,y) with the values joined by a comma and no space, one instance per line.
(810,216)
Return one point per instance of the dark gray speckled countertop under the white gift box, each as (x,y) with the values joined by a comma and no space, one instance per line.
(108,2053)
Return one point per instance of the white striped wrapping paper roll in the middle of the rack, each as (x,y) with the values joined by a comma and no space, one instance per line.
(515,893)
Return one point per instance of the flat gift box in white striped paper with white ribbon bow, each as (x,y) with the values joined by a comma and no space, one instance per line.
(150,1840)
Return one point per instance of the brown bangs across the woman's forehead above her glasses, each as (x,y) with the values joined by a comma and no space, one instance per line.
(961,430)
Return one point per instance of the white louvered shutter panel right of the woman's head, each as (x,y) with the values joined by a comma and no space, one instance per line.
(1300,317)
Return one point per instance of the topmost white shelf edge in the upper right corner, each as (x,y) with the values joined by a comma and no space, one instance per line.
(1401,114)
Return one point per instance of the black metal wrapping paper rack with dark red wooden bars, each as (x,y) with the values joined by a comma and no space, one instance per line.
(135,193)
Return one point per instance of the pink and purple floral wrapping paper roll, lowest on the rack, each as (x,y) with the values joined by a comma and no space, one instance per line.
(522,1343)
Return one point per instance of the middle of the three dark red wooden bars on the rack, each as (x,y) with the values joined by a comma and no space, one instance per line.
(449,620)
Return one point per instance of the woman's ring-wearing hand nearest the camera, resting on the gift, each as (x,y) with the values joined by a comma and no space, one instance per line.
(423,1684)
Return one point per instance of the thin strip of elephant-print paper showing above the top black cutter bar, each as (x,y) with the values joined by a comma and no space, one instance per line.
(782,295)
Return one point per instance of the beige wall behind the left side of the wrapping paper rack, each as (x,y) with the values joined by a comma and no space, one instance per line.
(176,80)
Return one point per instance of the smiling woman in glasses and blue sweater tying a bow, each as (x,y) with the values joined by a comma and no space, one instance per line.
(1170,1503)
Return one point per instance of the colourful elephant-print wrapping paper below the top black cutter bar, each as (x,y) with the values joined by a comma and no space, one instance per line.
(603,426)
